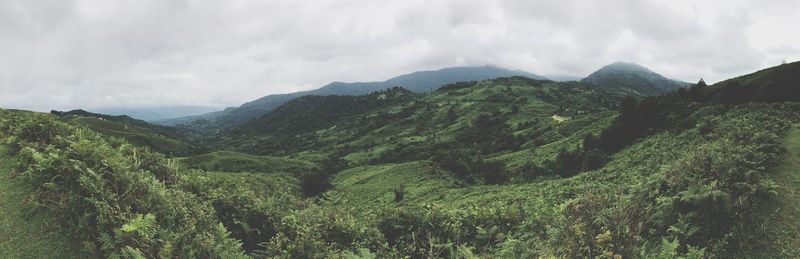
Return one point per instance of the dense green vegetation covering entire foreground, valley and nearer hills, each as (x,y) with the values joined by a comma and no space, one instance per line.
(504,168)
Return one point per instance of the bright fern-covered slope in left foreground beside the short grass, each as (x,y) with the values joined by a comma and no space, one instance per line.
(110,199)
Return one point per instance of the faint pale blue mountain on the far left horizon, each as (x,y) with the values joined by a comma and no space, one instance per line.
(158,113)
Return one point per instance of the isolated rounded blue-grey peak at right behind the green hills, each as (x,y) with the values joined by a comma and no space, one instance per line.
(643,81)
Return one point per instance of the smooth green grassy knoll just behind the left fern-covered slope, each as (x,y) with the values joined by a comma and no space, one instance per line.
(228,161)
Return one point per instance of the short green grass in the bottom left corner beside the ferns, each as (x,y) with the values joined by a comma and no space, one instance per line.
(24,232)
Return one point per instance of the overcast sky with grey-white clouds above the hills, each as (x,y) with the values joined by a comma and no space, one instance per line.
(57,54)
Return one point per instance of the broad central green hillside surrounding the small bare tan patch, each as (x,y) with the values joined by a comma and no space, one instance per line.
(488,118)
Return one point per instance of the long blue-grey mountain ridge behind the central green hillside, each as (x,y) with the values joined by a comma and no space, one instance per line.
(422,81)
